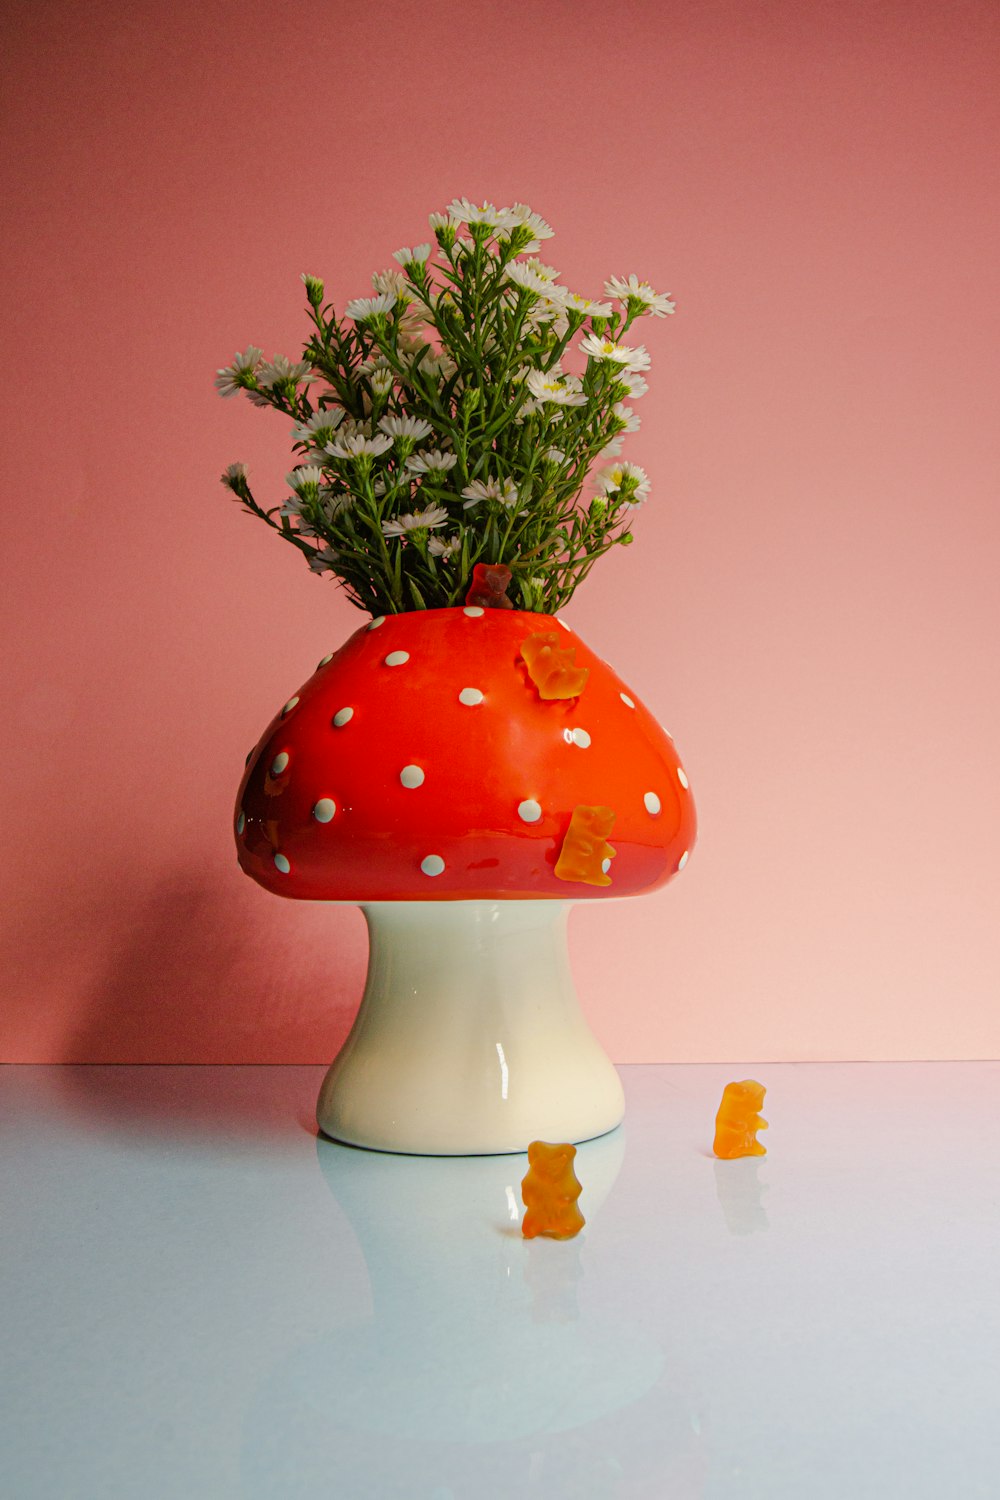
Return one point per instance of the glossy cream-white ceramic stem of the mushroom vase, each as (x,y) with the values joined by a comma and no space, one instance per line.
(470,1039)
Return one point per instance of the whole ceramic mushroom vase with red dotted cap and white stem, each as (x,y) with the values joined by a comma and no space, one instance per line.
(466,776)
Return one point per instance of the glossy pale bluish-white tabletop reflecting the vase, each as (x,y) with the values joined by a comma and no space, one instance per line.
(203,1300)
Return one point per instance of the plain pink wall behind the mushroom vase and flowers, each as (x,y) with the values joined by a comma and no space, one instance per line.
(812,605)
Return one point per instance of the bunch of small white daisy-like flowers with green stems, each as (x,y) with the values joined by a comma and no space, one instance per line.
(446,431)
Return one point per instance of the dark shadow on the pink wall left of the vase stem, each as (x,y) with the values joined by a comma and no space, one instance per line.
(191,979)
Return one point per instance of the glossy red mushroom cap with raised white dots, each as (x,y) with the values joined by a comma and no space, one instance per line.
(421,763)
